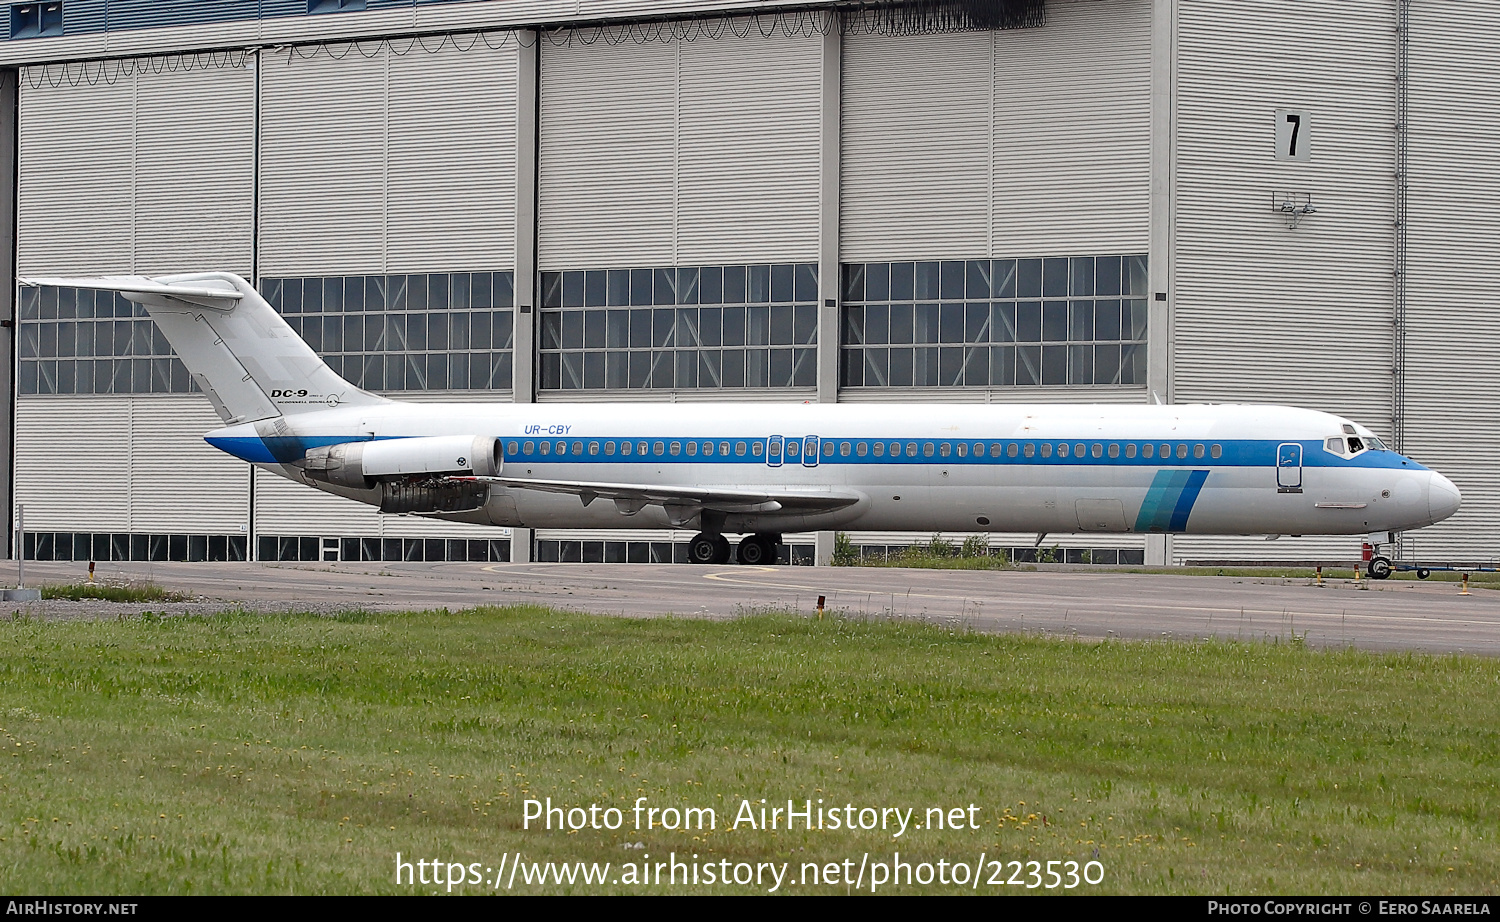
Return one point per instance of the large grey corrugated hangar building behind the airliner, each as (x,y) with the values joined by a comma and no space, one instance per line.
(1114,202)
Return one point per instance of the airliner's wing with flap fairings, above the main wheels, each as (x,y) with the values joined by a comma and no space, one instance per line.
(685,503)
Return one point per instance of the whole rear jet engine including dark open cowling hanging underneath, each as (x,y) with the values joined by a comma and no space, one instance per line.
(412,474)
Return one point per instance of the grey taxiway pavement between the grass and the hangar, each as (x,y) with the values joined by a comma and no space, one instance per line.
(1388,615)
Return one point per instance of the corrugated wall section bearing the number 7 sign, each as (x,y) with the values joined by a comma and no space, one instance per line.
(1262,313)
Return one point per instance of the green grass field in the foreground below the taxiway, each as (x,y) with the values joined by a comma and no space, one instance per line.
(250,753)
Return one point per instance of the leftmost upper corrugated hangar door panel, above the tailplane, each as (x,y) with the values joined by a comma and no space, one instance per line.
(142,166)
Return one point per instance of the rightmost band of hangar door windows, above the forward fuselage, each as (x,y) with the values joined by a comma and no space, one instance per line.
(995,323)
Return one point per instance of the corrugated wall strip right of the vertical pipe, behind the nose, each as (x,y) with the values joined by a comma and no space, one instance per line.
(1453,407)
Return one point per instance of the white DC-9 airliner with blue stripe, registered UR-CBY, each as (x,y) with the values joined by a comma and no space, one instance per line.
(760,470)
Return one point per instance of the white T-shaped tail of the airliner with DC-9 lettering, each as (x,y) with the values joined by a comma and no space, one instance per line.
(244,356)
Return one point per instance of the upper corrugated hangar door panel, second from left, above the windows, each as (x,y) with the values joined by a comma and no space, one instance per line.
(389,158)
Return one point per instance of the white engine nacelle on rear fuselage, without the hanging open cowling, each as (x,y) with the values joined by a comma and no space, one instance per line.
(362,465)
